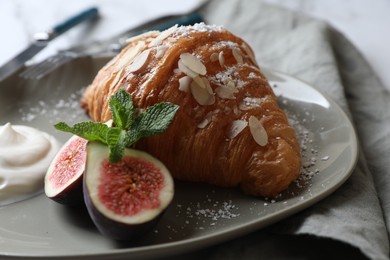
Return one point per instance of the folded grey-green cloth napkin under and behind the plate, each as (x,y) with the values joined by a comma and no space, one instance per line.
(352,219)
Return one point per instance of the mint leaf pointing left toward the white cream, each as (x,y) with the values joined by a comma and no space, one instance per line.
(91,131)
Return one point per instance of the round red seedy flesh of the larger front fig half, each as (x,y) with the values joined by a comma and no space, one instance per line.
(130,186)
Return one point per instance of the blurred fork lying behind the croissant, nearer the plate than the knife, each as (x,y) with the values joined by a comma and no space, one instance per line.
(108,47)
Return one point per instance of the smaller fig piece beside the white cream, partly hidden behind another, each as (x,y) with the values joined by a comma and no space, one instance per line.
(63,179)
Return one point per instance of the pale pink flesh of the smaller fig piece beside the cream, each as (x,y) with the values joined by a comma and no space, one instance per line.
(69,163)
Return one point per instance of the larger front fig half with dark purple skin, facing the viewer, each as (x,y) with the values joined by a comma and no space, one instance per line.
(127,198)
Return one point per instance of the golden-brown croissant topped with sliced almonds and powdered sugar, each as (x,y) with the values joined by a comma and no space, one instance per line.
(229,130)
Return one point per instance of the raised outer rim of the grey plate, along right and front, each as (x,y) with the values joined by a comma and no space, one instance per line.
(220,236)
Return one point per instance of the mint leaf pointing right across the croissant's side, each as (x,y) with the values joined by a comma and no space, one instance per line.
(155,119)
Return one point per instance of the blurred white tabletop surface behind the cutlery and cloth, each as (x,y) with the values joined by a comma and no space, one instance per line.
(365,23)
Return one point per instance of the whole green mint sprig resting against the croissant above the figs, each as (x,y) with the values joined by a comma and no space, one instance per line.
(129,125)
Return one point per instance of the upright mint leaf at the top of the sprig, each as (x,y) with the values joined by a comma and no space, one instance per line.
(122,109)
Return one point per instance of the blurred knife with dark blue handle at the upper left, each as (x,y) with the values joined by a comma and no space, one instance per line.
(42,39)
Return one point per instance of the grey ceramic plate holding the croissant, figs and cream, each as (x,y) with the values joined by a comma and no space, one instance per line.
(200,215)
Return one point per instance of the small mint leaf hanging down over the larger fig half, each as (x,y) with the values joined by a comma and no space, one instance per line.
(116,140)
